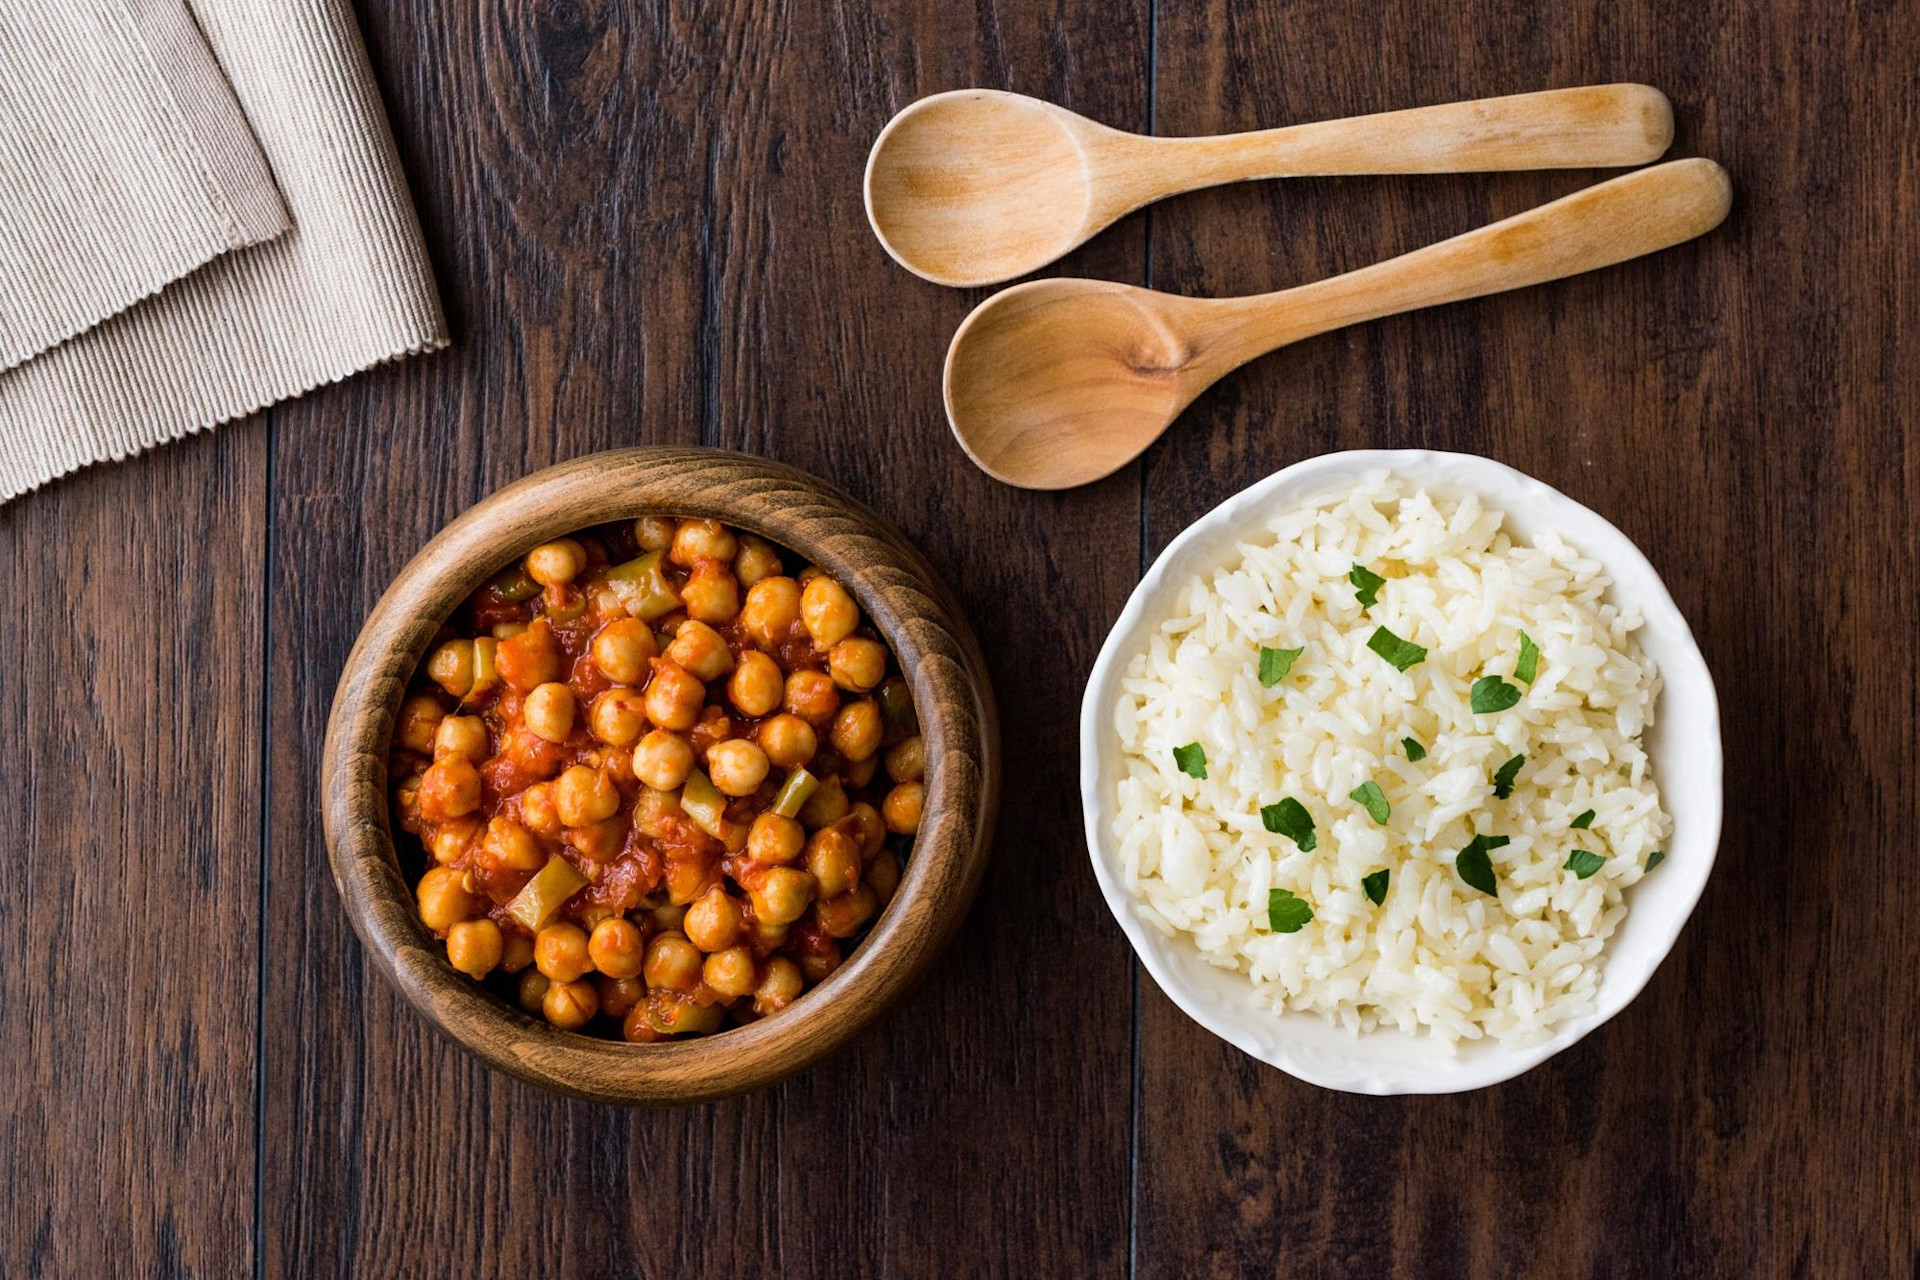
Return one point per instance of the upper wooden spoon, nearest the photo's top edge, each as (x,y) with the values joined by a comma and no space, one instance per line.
(980,187)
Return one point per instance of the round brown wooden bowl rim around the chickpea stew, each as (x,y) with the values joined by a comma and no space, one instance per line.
(905,602)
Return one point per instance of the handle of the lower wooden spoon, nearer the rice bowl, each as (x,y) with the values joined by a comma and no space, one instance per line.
(1596,227)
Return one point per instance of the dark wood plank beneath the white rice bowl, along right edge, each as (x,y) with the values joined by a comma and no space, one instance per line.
(1740,410)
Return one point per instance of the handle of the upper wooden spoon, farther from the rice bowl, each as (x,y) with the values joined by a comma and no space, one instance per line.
(1596,126)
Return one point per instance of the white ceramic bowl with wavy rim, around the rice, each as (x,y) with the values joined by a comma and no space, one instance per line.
(1685,747)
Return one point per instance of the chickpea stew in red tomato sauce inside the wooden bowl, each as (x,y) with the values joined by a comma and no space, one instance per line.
(661,780)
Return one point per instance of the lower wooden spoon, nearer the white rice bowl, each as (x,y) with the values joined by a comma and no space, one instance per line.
(1057,383)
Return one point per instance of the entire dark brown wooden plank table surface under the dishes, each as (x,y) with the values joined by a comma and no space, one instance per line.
(648,225)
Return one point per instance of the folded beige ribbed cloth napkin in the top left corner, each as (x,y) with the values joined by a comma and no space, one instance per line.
(201,214)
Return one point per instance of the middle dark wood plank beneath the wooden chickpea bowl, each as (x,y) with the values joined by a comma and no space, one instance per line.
(650,229)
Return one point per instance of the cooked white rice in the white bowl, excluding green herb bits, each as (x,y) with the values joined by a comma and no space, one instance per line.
(1437,955)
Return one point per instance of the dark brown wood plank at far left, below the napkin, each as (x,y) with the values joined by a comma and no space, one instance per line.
(128,905)
